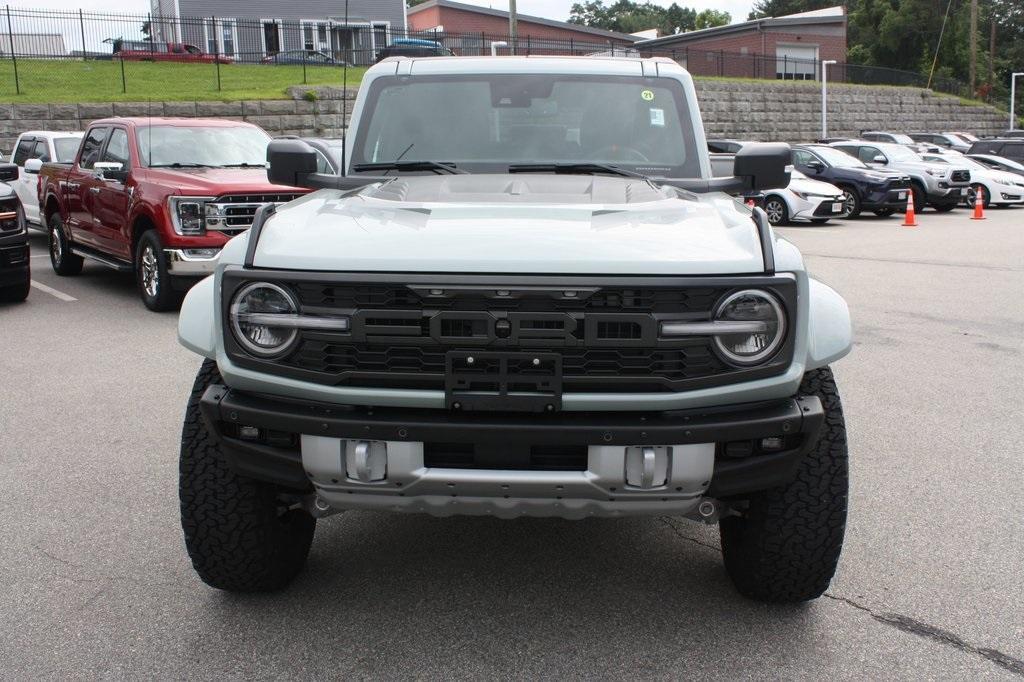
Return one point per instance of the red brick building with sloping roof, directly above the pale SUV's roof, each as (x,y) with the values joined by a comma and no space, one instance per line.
(470,30)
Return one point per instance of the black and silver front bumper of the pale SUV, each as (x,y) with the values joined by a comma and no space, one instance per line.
(309,447)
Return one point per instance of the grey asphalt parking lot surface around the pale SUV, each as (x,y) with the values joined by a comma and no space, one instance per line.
(931,584)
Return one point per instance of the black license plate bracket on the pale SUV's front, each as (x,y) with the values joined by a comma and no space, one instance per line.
(503,381)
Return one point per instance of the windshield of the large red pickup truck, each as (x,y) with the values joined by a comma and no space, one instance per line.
(188,146)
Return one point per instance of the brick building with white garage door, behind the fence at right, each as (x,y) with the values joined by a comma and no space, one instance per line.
(785,48)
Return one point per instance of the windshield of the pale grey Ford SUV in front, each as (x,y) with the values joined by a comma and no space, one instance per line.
(486,123)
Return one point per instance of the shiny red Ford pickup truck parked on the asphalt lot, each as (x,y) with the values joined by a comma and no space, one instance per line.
(157,197)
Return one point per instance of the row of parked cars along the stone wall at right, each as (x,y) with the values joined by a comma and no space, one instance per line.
(878,173)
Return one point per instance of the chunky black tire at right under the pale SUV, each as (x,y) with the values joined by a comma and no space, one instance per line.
(786,546)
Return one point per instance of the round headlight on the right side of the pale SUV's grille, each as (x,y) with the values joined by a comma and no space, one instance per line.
(767,330)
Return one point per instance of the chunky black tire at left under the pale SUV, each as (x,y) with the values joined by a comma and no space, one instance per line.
(240,534)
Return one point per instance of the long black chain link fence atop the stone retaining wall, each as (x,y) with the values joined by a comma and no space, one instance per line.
(74,56)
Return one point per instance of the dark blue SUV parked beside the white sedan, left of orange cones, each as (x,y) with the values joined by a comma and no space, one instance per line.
(864,189)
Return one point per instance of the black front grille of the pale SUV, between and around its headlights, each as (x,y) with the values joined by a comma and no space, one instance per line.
(605,332)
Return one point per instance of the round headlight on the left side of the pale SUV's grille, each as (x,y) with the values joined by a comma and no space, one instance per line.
(252,319)
